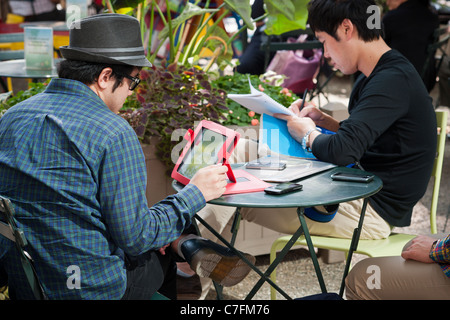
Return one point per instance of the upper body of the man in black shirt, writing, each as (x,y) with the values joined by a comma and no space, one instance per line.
(391,130)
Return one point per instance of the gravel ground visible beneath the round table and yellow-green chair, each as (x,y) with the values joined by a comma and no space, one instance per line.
(296,273)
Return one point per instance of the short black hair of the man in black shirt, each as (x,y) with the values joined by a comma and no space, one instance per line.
(327,15)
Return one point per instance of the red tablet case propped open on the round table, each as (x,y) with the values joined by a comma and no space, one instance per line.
(240,181)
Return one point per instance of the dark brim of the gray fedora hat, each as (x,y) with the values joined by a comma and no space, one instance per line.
(75,54)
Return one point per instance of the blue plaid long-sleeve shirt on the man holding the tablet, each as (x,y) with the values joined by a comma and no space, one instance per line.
(76,175)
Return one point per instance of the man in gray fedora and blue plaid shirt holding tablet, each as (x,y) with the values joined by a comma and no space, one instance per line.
(75,173)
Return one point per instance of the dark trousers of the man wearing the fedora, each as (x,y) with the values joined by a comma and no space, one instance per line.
(148,273)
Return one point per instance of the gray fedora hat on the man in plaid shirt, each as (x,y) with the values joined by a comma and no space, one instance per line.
(106,38)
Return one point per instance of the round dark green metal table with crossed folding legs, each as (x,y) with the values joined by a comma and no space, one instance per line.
(318,189)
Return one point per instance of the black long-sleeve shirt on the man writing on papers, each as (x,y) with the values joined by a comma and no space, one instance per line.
(391,131)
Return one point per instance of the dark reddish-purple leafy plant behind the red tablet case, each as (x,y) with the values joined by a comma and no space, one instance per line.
(169,99)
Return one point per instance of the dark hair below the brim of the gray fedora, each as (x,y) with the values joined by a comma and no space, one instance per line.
(88,72)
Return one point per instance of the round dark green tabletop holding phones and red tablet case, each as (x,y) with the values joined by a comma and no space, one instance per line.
(318,190)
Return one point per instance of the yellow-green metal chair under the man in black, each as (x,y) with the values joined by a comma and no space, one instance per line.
(391,246)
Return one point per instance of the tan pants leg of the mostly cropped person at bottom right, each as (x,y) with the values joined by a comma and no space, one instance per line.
(389,278)
